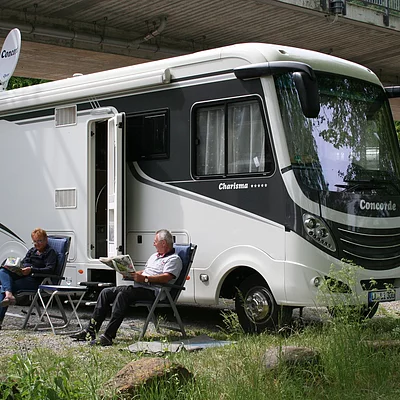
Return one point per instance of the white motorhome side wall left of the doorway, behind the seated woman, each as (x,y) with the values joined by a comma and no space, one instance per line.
(46,163)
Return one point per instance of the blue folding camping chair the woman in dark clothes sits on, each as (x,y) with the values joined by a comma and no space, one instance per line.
(61,245)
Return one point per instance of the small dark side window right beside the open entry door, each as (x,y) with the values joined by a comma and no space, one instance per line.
(147,136)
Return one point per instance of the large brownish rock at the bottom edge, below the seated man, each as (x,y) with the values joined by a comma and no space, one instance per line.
(145,371)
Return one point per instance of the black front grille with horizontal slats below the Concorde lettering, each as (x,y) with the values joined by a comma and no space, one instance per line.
(372,249)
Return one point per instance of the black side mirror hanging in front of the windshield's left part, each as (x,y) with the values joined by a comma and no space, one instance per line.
(307,88)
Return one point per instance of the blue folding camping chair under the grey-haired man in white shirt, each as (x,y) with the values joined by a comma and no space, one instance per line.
(169,293)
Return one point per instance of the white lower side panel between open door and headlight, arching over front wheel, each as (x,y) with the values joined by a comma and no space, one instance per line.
(239,239)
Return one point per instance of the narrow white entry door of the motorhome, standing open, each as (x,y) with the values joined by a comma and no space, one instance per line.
(115,185)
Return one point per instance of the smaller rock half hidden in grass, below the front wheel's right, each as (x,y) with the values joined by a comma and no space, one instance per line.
(291,356)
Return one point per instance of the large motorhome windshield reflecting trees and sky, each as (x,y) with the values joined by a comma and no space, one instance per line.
(351,145)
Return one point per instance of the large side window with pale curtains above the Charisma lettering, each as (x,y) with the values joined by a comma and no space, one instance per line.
(231,139)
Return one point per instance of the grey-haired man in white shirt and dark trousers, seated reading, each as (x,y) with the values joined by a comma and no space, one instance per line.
(162,267)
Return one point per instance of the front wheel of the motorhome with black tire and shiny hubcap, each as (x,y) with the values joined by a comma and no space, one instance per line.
(257,309)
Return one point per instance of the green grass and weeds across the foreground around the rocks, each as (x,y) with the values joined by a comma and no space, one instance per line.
(348,368)
